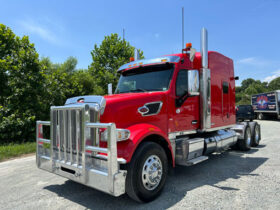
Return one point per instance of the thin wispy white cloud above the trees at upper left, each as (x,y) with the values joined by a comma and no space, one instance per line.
(30,27)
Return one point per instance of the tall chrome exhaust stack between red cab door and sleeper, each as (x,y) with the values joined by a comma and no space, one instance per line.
(205,83)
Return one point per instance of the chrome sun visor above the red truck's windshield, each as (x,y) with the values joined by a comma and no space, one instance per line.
(137,63)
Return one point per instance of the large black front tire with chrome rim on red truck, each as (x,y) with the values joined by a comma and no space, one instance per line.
(139,186)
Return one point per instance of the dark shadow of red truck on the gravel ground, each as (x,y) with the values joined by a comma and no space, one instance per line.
(181,180)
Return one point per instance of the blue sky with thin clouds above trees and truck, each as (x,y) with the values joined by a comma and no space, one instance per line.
(245,30)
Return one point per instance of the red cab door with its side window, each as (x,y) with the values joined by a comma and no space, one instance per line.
(185,116)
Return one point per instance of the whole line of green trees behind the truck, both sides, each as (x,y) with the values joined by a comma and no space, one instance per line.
(29,85)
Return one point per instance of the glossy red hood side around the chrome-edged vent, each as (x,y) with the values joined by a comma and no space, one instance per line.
(122,109)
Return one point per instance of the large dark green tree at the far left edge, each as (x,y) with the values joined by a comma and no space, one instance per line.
(21,86)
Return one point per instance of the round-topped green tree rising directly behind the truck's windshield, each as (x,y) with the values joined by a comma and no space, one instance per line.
(108,57)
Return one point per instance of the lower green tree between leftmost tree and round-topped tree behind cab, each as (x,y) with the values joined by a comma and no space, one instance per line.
(63,81)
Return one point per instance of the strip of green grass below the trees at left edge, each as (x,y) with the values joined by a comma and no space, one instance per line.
(14,150)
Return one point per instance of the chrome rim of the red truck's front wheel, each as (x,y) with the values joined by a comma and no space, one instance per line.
(152,172)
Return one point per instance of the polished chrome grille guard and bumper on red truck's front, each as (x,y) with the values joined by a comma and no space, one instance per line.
(70,153)
